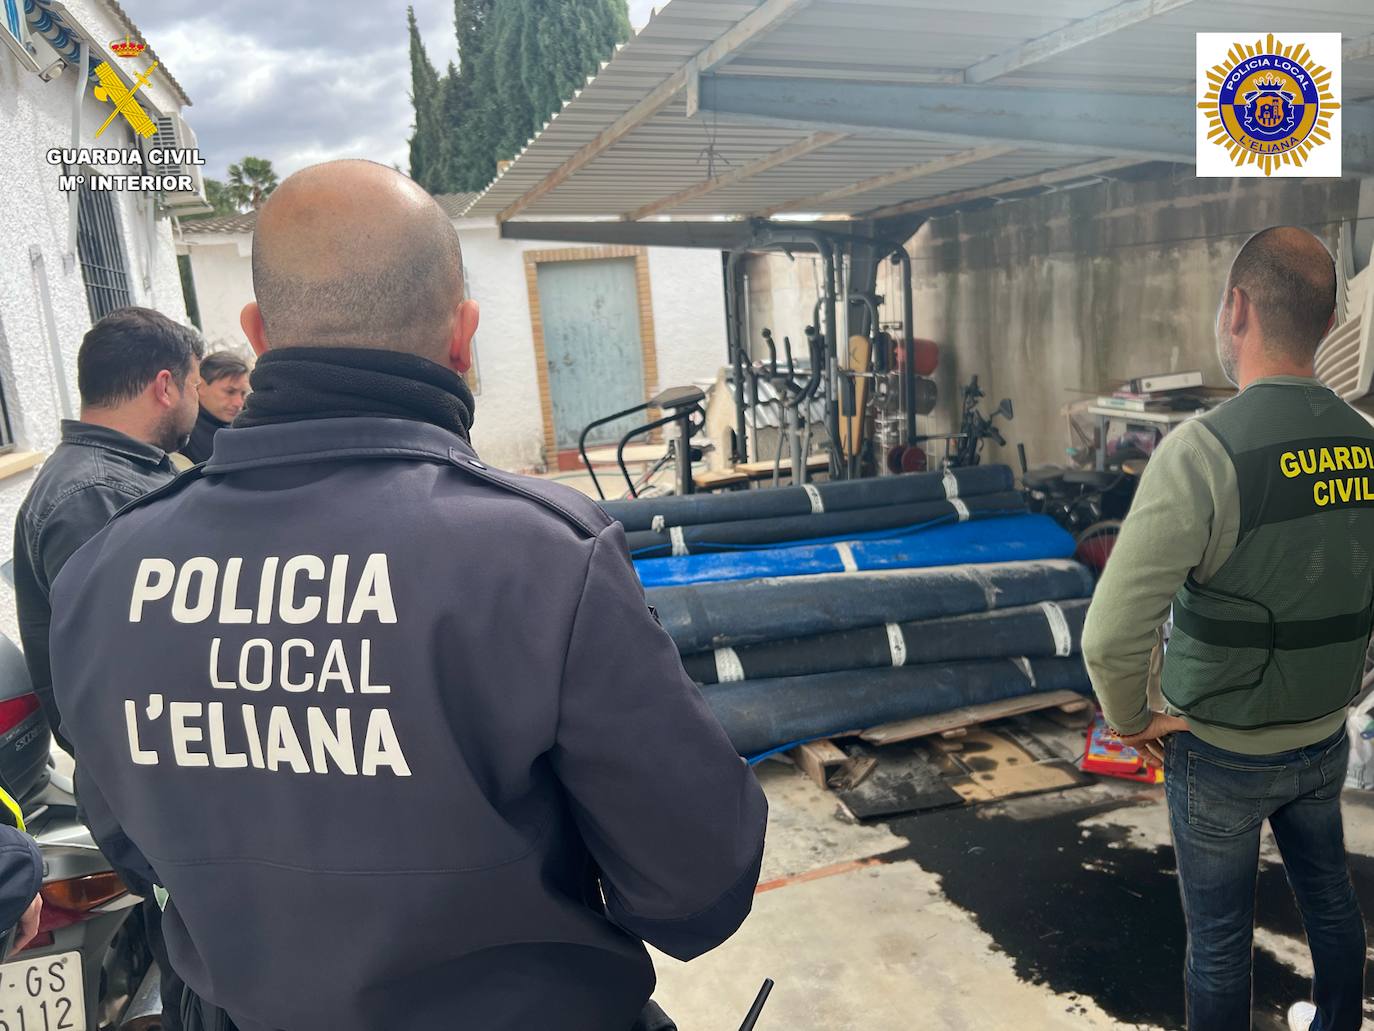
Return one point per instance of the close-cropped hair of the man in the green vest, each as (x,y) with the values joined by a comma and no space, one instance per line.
(1291,280)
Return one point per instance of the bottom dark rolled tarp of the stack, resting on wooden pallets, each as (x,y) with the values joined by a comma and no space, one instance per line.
(762,716)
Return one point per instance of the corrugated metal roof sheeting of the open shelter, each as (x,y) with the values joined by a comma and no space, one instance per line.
(864,41)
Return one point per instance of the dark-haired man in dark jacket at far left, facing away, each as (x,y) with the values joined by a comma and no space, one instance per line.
(137,373)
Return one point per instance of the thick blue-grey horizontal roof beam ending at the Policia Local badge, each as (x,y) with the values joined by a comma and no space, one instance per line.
(1160,127)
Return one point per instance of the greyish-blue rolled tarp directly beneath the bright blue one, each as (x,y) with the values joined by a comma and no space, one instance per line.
(745,612)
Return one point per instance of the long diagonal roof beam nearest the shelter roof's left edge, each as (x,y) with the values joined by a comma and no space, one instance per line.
(761,21)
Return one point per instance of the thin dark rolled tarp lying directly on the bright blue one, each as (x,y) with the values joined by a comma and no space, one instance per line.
(752,534)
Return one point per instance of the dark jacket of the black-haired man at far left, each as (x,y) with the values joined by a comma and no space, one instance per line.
(91,475)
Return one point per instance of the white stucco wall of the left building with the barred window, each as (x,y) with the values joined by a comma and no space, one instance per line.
(34,118)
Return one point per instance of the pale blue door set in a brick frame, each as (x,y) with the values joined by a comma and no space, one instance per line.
(593,346)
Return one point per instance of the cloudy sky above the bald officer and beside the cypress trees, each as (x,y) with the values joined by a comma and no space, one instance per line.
(300,83)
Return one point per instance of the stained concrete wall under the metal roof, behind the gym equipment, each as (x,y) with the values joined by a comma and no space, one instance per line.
(1061,298)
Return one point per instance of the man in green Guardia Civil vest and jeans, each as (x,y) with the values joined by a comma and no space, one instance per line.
(1257,524)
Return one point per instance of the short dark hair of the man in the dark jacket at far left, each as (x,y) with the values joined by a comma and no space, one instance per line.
(126,351)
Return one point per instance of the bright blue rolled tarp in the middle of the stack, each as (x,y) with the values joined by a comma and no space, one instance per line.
(1002,540)
